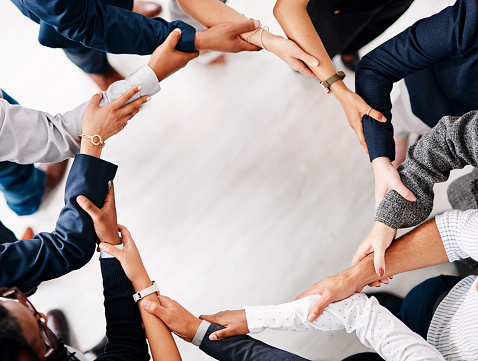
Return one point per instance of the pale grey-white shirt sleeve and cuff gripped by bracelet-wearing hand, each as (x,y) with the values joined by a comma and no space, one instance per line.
(30,136)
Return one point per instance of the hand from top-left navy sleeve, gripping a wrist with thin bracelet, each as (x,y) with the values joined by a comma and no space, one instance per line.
(226,37)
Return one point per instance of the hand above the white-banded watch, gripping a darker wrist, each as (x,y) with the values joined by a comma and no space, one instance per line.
(129,258)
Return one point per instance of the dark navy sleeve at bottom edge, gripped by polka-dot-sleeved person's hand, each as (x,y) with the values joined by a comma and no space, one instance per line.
(245,348)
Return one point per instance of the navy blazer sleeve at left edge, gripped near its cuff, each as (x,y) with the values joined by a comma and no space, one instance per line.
(72,244)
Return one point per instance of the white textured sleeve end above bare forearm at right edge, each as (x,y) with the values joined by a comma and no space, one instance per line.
(459,233)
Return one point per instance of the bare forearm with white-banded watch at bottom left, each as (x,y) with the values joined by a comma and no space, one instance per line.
(161,342)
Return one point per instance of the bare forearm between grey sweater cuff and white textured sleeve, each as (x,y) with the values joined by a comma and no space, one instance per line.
(420,248)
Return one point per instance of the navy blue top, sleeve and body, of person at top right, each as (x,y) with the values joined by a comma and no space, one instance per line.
(438,57)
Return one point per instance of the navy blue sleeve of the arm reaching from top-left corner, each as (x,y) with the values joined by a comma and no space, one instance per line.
(107,28)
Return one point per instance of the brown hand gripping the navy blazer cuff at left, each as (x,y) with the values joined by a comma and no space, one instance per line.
(104,219)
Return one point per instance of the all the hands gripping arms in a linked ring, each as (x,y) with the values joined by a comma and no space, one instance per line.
(112,118)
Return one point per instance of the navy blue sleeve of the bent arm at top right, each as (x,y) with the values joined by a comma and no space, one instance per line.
(429,41)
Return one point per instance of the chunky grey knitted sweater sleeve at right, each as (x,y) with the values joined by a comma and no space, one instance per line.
(451,144)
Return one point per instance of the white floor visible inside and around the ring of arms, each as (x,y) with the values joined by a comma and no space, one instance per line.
(241,184)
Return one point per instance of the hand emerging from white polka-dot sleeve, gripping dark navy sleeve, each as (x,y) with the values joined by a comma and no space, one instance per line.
(235,323)
